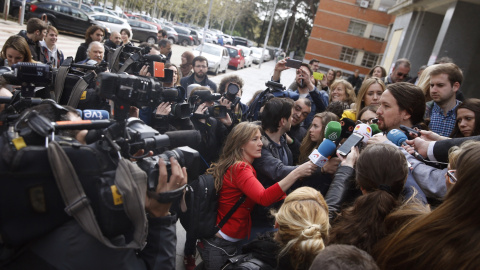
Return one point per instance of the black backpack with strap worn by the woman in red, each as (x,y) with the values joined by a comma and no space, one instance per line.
(202,208)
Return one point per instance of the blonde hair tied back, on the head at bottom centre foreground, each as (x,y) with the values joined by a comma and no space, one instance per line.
(303,226)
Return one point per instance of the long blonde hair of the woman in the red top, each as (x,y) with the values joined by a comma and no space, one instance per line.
(232,150)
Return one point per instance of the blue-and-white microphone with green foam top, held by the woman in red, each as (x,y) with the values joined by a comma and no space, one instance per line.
(327,148)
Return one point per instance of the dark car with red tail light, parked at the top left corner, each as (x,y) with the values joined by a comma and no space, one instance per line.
(63,16)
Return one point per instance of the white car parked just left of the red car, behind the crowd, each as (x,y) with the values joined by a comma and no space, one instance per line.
(216,55)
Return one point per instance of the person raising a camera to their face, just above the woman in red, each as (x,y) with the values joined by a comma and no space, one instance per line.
(231,88)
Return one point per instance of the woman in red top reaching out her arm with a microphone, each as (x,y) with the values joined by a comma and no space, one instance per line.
(235,176)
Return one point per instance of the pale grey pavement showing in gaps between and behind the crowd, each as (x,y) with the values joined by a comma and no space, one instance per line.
(254,78)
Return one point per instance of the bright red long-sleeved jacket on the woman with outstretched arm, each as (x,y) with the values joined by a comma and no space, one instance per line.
(241,178)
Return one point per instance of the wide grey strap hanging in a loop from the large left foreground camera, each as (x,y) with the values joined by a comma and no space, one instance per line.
(131,183)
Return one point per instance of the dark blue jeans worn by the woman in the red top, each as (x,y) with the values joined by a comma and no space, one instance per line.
(216,251)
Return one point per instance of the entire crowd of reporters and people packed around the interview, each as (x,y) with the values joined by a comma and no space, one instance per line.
(383,206)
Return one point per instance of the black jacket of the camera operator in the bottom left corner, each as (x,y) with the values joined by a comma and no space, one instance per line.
(69,247)
